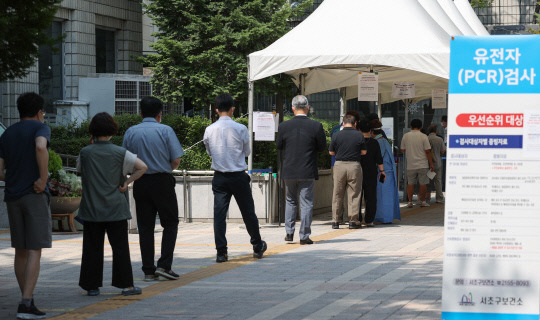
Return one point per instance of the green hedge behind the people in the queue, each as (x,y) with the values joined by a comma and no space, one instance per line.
(71,139)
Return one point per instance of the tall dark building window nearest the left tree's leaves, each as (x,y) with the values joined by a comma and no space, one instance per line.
(51,84)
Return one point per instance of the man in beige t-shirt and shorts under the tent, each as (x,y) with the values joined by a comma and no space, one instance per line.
(417,150)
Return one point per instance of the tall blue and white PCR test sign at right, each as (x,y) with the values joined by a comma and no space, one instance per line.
(492,213)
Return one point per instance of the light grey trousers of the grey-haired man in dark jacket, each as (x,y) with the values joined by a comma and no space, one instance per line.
(299,191)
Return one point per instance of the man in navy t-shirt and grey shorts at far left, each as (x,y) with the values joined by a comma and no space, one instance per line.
(23,152)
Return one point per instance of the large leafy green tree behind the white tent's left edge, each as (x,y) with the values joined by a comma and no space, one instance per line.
(203,45)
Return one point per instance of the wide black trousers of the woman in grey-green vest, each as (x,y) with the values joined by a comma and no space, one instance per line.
(91,276)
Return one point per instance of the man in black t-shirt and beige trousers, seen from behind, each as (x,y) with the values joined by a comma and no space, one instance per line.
(347,145)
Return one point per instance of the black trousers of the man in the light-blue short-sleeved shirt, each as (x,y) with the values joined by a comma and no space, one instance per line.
(154,194)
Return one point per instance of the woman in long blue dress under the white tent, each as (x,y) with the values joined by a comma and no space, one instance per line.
(387,193)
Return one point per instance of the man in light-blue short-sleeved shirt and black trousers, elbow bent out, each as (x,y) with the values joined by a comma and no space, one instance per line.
(157,146)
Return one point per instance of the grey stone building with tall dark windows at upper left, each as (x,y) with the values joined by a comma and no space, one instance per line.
(101,36)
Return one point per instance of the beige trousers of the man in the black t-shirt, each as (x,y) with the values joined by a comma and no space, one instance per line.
(347,176)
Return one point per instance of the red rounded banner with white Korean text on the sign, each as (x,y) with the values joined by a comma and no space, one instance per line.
(490,120)
